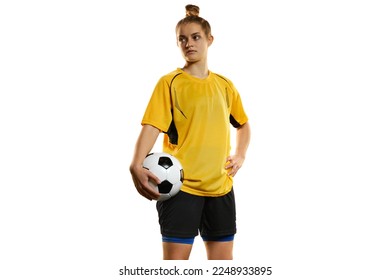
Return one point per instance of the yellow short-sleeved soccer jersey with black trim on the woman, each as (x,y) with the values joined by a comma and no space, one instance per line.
(201,110)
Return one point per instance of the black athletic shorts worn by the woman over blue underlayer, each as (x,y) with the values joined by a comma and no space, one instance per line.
(185,215)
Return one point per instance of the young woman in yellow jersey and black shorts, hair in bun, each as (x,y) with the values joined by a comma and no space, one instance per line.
(195,109)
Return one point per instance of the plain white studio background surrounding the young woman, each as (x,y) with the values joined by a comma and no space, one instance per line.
(75,77)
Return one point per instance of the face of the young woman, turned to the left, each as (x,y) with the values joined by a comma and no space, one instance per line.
(193,42)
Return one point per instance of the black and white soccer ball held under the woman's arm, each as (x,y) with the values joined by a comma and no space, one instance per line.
(170,172)
